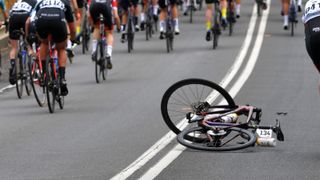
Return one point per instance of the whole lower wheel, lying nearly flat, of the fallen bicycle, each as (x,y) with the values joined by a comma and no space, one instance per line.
(245,140)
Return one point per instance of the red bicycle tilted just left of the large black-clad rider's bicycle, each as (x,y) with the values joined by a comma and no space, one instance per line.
(36,73)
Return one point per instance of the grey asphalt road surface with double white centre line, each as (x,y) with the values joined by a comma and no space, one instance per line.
(115,129)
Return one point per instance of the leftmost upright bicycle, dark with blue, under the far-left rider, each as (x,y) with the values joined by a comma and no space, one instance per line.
(22,68)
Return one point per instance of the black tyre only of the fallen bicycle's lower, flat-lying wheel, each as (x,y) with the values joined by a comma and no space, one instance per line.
(190,144)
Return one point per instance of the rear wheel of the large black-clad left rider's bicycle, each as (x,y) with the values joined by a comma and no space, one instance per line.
(50,86)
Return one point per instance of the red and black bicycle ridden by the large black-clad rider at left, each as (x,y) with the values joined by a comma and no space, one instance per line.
(52,79)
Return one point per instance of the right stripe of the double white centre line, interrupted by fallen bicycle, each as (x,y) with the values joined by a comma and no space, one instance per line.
(178,149)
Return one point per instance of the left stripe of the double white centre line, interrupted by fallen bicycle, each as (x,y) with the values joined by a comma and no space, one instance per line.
(165,140)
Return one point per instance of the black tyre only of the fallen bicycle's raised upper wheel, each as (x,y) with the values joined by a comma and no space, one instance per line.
(170,91)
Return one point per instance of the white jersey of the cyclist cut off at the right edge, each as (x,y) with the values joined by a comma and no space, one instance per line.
(312,10)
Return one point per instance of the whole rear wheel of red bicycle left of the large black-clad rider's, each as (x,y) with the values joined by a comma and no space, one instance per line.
(36,79)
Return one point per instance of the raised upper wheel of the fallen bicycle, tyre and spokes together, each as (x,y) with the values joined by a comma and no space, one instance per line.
(181,92)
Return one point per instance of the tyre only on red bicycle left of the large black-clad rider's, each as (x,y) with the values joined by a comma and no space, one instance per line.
(34,63)
